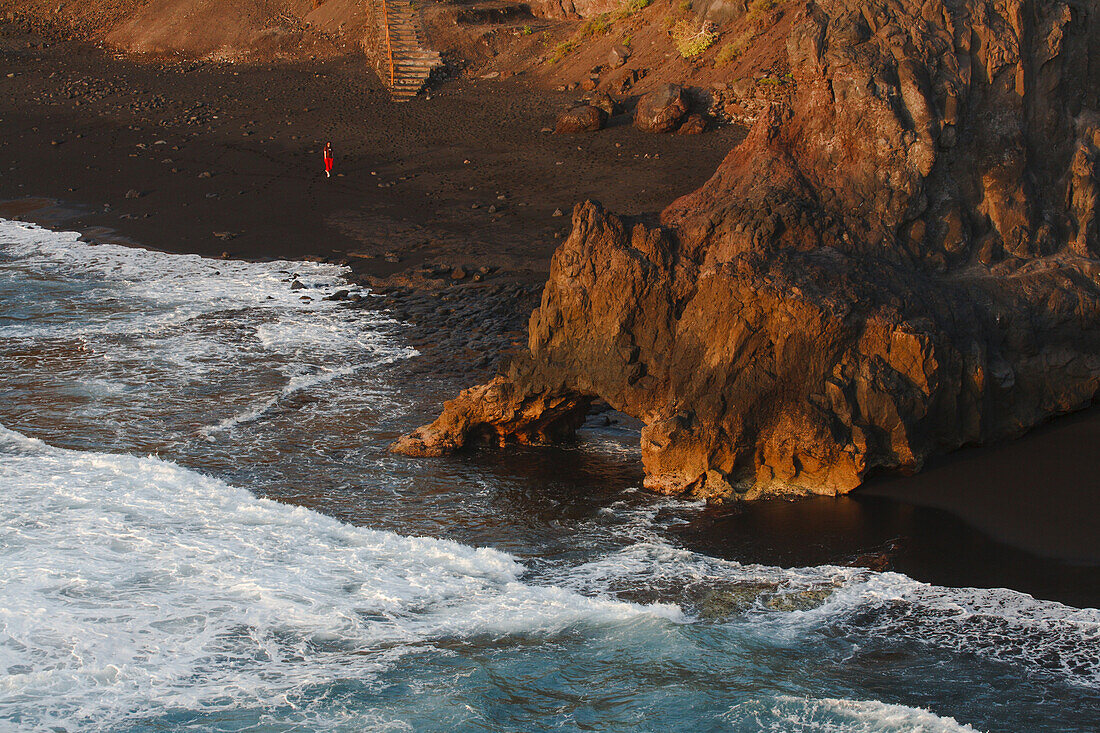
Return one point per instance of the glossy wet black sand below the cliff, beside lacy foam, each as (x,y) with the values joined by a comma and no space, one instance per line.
(939,546)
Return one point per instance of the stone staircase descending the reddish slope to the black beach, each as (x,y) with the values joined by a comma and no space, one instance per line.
(409,63)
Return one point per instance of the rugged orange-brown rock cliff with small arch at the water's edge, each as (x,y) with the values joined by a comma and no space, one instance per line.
(899,262)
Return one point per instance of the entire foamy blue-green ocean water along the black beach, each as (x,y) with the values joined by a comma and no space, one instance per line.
(201,530)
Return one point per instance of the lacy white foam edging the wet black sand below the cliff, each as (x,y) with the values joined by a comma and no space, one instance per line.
(789,607)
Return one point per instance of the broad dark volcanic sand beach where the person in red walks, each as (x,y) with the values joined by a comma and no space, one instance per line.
(82,127)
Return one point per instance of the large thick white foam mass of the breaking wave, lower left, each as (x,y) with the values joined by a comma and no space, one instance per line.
(133,585)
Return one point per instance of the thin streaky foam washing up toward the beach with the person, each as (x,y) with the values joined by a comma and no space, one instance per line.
(160,349)
